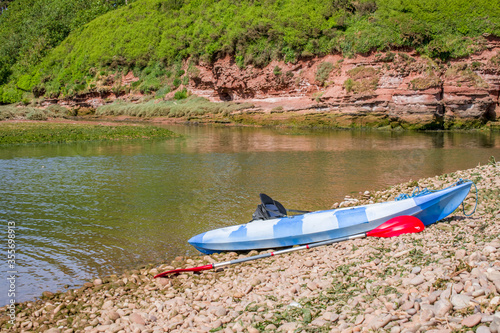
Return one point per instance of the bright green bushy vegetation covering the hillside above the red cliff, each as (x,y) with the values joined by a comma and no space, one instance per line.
(58,48)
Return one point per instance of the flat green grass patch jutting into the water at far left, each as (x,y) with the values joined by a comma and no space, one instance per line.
(28,132)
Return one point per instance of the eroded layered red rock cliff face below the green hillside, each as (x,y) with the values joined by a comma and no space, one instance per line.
(397,84)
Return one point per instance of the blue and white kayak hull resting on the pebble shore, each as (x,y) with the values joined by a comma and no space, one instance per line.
(318,226)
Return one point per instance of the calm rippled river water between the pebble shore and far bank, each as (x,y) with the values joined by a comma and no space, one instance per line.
(94,209)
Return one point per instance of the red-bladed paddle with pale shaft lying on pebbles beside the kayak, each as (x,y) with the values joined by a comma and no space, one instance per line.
(394,227)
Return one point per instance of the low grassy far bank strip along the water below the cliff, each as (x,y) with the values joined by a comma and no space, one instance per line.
(196,111)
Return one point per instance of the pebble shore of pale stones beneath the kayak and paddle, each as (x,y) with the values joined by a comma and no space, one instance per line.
(445,279)
